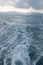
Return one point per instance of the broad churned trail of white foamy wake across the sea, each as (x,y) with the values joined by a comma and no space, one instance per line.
(13,47)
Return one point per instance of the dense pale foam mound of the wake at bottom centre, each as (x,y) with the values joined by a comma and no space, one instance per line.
(20,53)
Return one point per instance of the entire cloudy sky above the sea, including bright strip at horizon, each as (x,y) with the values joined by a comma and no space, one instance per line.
(22,6)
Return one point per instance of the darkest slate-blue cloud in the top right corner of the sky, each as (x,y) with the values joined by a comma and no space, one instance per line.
(38,4)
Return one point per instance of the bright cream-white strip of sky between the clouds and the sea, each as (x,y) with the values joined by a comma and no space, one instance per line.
(20,10)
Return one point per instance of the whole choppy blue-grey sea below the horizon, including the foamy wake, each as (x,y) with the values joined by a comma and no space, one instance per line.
(21,39)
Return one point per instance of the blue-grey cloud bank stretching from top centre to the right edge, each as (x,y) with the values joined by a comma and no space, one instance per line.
(37,4)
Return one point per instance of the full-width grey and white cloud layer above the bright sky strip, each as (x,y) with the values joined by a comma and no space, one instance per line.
(37,4)
